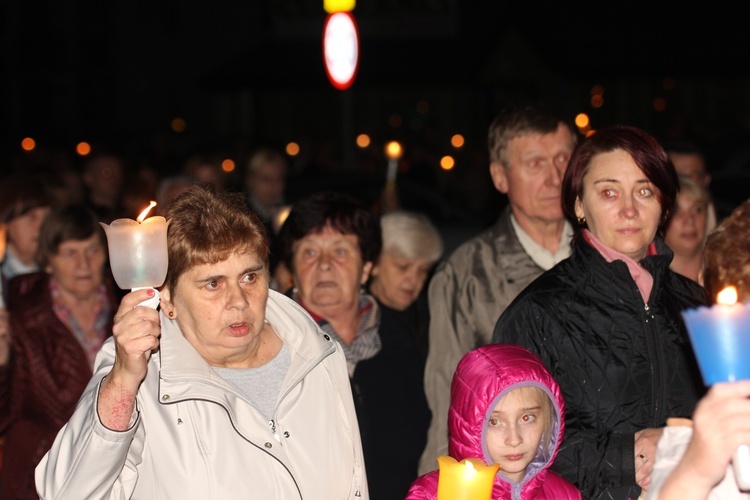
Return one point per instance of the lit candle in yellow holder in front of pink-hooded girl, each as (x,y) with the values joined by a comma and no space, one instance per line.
(469,479)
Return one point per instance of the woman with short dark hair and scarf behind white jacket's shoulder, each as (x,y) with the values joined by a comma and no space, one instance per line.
(330,243)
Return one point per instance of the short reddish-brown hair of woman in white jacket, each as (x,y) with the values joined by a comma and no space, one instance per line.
(205,229)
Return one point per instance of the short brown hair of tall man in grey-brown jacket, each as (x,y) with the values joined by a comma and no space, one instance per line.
(519,120)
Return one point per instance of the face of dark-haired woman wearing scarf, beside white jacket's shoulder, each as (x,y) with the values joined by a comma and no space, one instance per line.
(328,270)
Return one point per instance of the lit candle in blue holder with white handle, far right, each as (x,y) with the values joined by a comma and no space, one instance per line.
(721,340)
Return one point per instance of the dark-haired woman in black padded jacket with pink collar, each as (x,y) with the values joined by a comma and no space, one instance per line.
(606,321)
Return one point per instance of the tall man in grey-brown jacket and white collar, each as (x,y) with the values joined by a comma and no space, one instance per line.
(529,149)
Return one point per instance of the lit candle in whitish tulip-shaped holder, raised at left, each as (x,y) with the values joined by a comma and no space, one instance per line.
(138,251)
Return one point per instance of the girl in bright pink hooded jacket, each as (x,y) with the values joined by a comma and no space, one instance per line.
(506,408)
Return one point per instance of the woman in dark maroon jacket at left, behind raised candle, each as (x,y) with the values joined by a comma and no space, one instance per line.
(59,319)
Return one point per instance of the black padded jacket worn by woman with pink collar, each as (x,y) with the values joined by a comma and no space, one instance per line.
(622,364)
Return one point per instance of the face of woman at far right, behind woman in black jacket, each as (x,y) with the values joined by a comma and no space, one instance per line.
(687,229)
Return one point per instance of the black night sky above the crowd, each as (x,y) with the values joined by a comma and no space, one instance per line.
(246,74)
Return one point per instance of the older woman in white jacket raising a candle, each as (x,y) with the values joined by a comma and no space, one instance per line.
(230,391)
